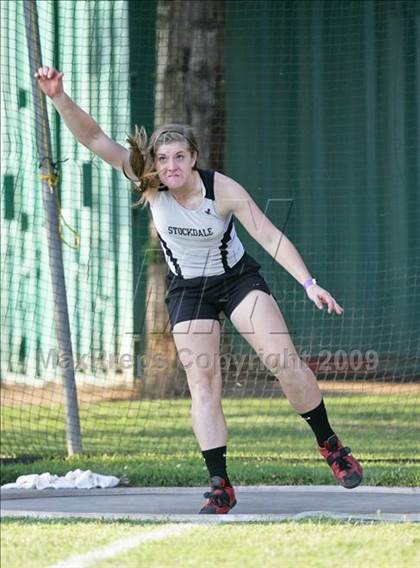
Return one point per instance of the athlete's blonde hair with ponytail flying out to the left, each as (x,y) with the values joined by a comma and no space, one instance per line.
(143,153)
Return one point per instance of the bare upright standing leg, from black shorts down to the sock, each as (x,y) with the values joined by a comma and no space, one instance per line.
(198,344)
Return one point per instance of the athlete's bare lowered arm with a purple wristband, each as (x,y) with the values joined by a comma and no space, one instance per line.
(231,197)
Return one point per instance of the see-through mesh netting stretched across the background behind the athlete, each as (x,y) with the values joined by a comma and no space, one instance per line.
(314,107)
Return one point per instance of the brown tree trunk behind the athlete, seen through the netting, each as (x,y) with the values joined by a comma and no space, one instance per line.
(189,90)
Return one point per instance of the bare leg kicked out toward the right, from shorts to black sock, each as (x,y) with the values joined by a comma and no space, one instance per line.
(259,320)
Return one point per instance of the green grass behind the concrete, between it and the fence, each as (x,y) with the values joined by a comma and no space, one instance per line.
(151,443)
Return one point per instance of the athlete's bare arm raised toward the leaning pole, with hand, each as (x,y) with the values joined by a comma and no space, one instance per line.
(82,125)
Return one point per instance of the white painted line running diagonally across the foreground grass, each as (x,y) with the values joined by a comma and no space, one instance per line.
(120,546)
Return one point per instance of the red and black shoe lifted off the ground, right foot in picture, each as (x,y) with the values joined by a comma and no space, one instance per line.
(346,469)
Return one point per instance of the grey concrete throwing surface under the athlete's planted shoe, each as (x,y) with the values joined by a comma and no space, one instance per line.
(181,504)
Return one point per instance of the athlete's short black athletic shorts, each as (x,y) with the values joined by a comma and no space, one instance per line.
(205,297)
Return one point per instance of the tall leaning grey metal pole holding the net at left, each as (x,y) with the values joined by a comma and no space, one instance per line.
(48,176)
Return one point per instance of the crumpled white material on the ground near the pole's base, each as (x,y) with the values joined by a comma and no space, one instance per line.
(77,479)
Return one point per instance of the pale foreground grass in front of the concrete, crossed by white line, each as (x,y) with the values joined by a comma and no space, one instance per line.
(309,544)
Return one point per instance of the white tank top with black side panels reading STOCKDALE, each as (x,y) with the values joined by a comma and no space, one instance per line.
(196,242)
